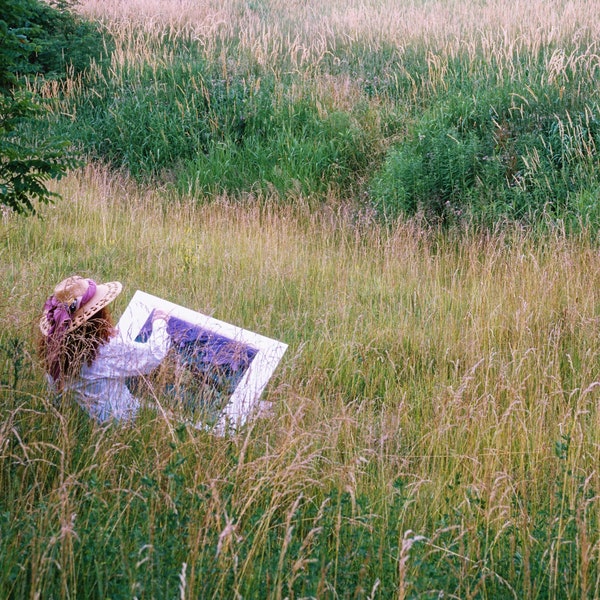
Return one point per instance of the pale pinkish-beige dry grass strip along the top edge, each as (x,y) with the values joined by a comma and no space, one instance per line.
(307,29)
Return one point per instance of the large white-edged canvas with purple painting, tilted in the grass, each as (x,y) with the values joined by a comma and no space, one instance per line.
(214,373)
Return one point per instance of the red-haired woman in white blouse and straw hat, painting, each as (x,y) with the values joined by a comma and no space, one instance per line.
(85,354)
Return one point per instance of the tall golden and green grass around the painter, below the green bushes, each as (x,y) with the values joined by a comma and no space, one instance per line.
(435,425)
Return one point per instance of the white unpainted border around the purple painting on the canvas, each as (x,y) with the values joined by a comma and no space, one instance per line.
(245,398)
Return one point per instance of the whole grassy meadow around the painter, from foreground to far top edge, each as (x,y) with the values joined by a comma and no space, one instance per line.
(436,415)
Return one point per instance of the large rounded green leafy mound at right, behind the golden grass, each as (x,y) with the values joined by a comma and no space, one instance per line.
(494,150)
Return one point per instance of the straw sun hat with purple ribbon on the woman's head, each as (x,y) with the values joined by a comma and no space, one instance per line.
(77,299)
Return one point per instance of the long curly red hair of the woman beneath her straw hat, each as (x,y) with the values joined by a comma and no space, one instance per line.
(64,359)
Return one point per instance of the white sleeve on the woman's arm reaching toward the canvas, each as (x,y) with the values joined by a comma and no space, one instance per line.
(121,357)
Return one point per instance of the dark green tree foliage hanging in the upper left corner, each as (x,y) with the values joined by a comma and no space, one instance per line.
(35,38)
